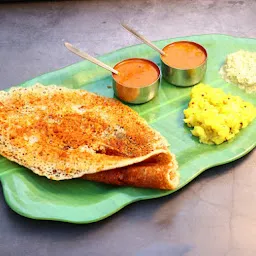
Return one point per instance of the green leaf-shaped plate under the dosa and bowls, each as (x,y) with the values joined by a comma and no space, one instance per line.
(80,201)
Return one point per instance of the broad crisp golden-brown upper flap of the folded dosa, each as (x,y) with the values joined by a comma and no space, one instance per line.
(63,133)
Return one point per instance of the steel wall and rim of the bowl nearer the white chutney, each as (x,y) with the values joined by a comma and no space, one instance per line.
(184,77)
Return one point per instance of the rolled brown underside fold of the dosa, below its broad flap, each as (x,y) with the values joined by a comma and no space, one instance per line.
(158,172)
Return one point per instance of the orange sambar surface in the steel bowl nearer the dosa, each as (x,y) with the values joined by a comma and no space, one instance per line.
(136,73)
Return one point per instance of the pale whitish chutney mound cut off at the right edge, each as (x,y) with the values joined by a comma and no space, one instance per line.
(240,69)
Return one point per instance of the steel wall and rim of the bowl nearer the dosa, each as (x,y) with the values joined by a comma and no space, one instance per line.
(136,95)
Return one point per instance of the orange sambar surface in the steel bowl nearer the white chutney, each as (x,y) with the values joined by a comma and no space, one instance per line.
(184,55)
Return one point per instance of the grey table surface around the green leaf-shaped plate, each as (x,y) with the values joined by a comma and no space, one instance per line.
(214,215)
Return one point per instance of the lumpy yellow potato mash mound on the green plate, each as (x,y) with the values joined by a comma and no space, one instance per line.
(216,116)
